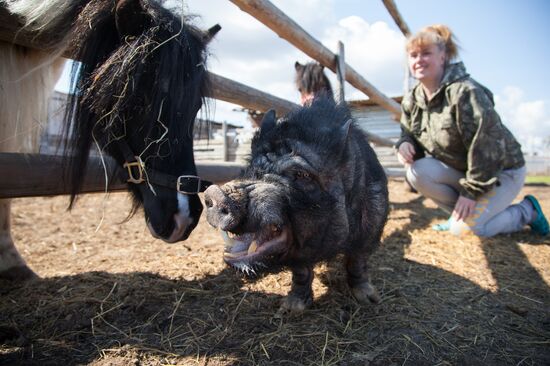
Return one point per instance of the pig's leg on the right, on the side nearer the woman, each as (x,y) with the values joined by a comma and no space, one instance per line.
(358,279)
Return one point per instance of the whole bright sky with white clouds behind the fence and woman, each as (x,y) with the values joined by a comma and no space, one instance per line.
(504,46)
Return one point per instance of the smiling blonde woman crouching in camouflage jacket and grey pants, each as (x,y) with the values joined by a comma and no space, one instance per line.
(476,167)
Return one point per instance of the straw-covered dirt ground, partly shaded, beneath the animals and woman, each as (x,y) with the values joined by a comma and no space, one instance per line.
(109,294)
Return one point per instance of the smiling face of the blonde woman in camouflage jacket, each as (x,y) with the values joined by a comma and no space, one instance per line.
(427,64)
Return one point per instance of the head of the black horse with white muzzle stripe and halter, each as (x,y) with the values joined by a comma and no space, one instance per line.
(141,82)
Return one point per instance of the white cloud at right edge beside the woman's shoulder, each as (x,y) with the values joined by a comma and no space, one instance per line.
(529,121)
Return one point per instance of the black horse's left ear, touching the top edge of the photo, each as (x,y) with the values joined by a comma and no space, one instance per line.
(130,18)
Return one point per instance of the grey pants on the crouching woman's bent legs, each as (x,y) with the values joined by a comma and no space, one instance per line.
(494,213)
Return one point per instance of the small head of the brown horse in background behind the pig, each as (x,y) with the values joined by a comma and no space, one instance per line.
(311,79)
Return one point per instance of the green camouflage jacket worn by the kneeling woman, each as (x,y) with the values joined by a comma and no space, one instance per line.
(460,127)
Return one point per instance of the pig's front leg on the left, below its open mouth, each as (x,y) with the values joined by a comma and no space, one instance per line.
(301,294)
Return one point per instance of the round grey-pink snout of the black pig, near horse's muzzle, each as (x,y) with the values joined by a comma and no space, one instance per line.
(222,211)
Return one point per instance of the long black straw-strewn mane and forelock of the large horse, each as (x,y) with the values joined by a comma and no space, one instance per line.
(157,74)
